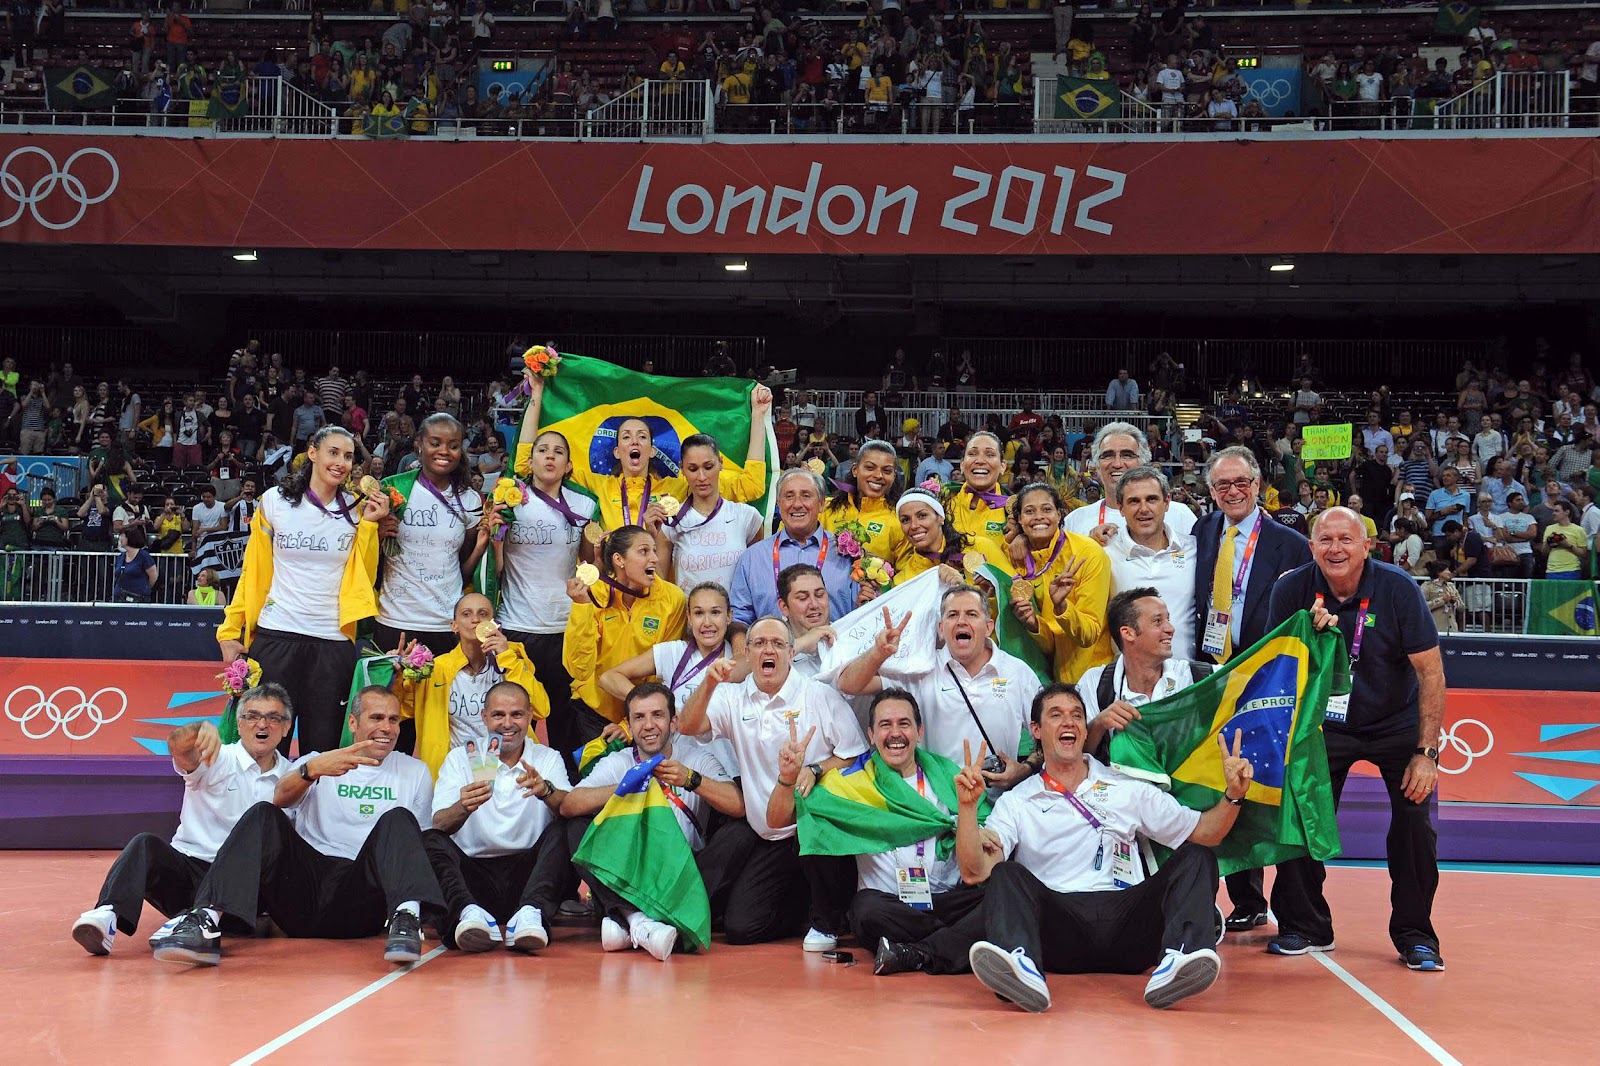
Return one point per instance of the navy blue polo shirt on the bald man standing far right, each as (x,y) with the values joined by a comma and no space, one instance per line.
(1385,691)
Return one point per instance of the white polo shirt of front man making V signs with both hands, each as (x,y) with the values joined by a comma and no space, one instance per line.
(1047,835)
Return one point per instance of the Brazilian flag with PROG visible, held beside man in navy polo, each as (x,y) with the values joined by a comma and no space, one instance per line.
(1276,695)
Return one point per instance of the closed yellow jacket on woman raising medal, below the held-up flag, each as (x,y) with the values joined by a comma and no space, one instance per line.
(606,635)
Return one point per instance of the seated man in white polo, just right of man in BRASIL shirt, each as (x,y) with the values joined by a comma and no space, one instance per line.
(497,844)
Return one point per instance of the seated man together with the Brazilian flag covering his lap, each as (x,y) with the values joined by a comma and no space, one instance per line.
(641,865)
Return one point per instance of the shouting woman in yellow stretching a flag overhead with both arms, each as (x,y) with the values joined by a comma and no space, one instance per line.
(625,497)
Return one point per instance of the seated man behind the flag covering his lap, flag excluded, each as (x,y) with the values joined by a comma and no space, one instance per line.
(695,783)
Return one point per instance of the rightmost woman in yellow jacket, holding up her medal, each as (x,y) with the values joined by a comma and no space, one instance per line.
(1062,587)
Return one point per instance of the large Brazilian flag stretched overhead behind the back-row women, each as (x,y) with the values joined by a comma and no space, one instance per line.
(590,399)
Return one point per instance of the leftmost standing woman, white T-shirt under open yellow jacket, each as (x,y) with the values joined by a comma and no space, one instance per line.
(308,580)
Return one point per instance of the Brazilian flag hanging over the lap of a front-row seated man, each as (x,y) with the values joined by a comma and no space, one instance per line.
(638,851)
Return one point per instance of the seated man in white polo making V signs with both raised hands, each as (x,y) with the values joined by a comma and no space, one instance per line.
(1066,886)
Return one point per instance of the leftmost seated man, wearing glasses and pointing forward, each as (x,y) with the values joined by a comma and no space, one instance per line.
(222,782)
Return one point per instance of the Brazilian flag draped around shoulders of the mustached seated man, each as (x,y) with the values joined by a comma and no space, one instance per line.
(868,808)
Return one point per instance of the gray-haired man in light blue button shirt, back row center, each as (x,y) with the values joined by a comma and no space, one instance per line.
(802,540)
